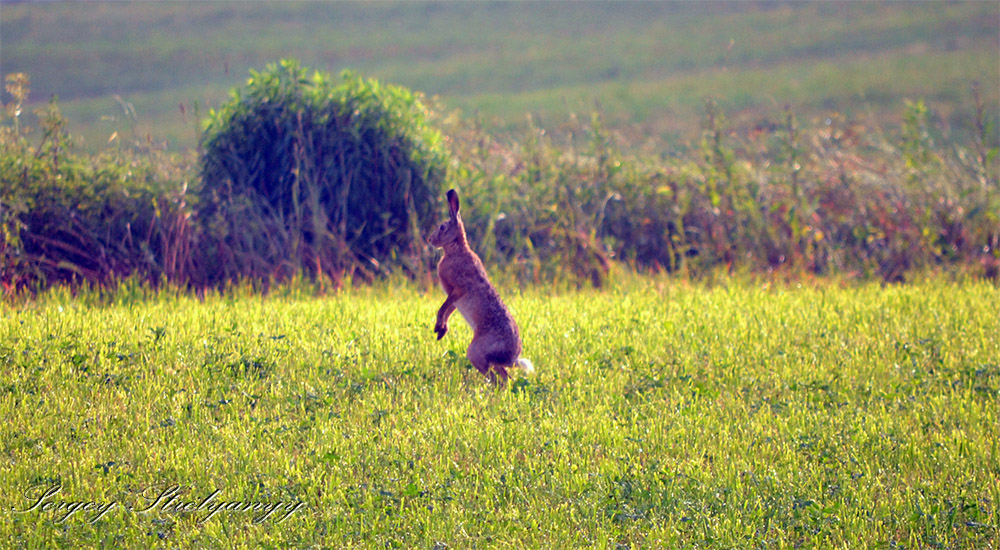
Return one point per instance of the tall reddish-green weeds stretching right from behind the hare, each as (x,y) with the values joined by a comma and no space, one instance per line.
(836,197)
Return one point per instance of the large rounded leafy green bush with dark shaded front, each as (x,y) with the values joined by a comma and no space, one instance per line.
(302,176)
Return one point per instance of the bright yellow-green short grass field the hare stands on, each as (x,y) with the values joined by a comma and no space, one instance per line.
(663,414)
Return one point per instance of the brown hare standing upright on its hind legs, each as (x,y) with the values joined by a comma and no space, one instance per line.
(496,343)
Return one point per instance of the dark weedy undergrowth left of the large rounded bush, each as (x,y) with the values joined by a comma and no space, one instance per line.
(72,218)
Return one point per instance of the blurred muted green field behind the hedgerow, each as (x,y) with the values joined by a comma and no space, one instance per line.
(650,64)
